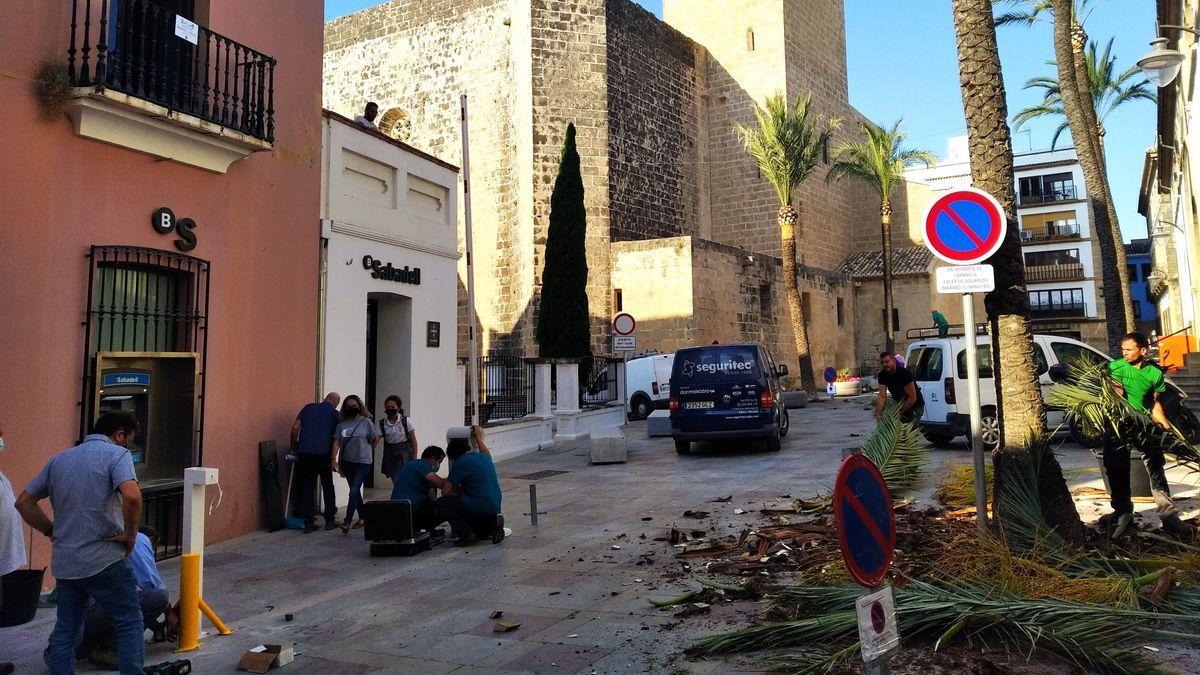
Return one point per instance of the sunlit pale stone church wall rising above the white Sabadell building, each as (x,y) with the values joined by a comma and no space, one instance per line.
(421,58)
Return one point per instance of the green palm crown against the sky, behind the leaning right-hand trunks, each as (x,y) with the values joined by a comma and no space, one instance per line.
(1109,91)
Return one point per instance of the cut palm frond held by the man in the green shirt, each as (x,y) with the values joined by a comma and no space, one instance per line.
(1091,398)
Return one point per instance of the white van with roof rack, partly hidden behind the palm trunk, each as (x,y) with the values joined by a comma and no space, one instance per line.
(940,367)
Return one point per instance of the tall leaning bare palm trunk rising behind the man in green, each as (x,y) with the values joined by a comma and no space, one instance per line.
(1070,40)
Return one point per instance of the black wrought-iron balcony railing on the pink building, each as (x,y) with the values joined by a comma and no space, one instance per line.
(136,47)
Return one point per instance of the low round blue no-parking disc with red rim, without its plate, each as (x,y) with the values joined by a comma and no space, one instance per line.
(862,509)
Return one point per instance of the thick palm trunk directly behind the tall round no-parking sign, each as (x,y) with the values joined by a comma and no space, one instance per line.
(1018,393)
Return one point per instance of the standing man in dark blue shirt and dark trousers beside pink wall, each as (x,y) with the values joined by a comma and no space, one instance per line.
(313,439)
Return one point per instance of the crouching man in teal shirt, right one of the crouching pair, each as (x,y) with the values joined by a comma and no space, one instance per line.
(475,507)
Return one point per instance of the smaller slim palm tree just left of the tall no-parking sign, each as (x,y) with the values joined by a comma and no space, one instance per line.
(880,160)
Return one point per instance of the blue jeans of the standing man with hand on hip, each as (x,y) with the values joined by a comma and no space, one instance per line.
(116,592)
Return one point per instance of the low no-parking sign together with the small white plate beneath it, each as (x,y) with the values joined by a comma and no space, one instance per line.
(862,510)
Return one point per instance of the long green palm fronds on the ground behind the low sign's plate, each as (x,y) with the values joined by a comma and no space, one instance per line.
(1088,636)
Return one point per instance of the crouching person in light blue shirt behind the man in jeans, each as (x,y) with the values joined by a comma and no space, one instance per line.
(99,640)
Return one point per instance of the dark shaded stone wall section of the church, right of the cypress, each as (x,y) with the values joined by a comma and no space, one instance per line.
(656,109)
